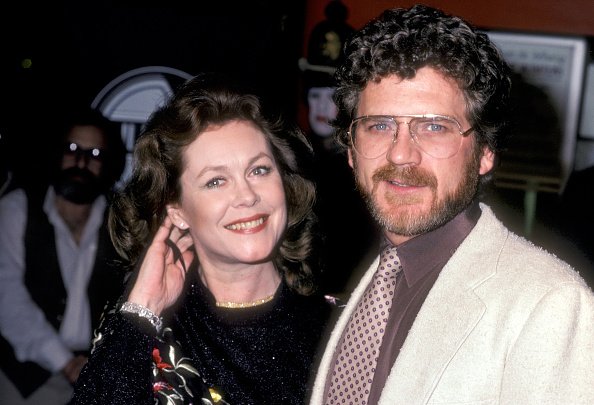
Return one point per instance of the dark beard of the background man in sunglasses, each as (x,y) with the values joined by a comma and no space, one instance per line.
(78,185)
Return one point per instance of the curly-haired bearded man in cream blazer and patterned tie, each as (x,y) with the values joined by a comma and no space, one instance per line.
(475,314)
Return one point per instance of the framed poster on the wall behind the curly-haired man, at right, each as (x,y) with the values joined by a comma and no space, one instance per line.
(547,93)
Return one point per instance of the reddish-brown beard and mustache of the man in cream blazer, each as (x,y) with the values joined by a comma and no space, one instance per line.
(411,222)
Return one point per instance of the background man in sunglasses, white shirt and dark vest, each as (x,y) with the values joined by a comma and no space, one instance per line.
(57,264)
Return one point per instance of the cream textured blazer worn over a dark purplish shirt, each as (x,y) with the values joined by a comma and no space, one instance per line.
(505,323)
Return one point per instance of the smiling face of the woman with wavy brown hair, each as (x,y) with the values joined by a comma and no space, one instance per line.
(232,197)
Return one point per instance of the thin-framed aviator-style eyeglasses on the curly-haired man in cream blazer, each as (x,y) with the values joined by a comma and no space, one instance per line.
(438,136)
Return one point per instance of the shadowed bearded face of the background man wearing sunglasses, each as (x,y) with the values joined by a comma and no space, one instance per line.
(79,179)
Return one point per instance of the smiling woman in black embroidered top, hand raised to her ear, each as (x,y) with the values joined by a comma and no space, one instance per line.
(217,192)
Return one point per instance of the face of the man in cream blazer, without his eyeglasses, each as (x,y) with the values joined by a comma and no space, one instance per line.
(408,191)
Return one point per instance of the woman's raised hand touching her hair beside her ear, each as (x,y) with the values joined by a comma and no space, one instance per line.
(163,271)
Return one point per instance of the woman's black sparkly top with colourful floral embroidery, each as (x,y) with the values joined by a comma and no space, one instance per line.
(258,355)
